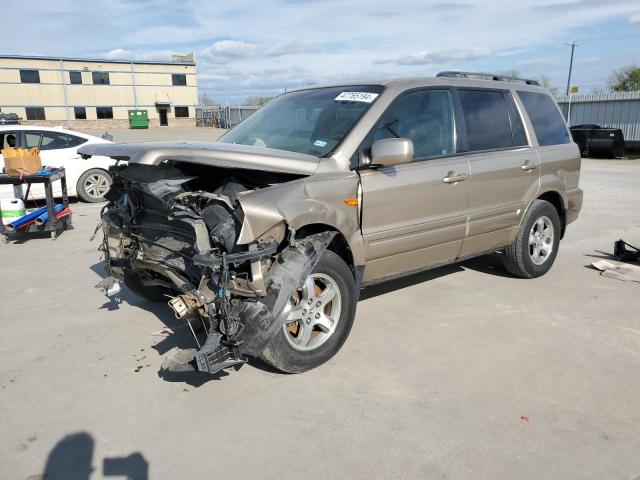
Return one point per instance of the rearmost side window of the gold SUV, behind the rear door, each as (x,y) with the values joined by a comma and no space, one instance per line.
(545,118)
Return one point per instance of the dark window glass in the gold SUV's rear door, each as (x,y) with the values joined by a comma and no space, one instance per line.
(486,119)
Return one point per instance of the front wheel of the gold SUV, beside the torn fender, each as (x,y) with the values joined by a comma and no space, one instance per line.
(288,351)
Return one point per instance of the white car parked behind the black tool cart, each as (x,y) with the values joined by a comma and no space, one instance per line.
(86,179)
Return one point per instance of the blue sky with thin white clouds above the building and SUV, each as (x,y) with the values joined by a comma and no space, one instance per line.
(260,48)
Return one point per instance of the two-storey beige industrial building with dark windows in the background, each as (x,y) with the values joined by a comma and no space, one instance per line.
(98,93)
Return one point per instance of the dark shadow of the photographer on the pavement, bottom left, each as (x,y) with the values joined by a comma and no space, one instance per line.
(72,459)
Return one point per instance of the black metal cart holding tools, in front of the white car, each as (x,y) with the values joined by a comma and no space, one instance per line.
(55,223)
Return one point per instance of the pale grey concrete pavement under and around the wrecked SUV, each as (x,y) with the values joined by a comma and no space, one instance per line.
(461,372)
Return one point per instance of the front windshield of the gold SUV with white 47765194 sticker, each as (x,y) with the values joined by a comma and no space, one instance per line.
(313,121)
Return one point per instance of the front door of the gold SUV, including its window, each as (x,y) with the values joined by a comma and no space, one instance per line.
(414,215)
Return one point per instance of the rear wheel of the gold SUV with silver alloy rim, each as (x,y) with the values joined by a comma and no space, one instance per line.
(539,232)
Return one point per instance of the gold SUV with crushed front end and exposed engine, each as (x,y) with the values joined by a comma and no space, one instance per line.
(262,241)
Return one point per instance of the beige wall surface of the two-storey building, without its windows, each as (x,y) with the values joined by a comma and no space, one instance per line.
(152,84)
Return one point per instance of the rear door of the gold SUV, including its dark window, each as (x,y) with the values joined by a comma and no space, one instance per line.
(504,168)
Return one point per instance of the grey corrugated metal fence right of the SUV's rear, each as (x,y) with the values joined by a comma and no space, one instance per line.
(612,109)
